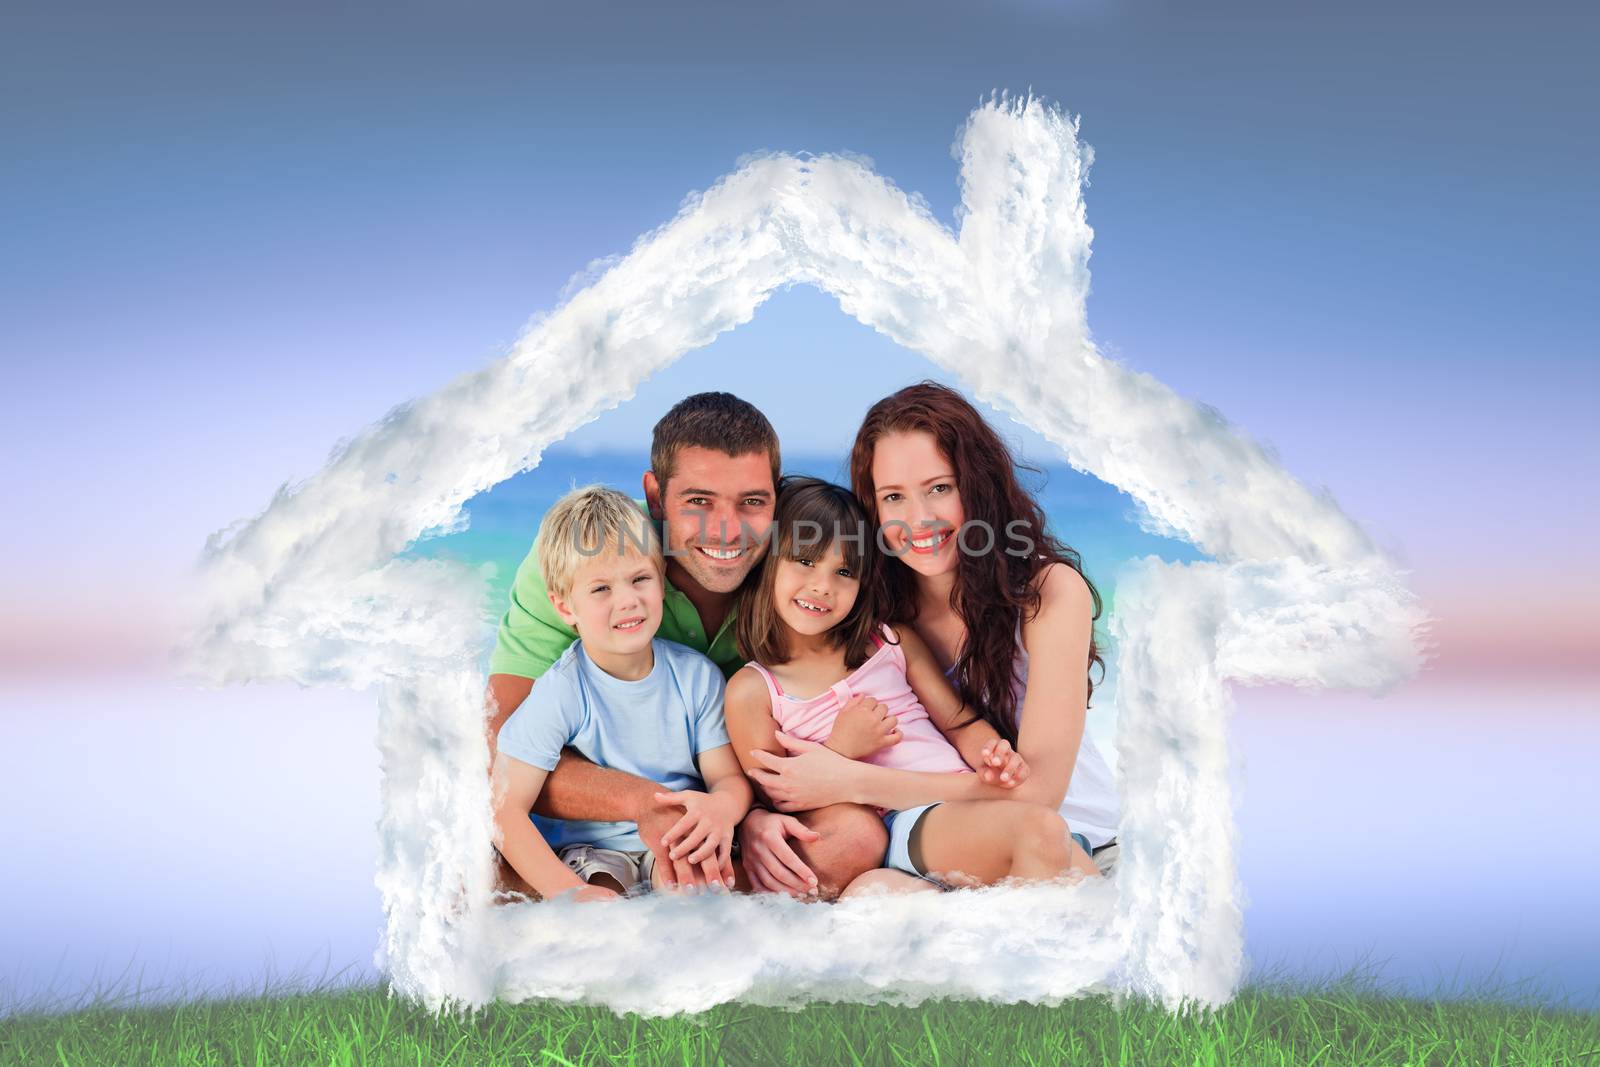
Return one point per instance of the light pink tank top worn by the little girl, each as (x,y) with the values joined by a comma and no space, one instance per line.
(922,748)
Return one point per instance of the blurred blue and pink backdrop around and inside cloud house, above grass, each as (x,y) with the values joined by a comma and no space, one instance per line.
(233,239)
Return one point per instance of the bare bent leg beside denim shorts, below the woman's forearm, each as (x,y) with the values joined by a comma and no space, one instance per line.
(983,842)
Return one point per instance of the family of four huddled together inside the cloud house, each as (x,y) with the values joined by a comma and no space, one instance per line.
(782,685)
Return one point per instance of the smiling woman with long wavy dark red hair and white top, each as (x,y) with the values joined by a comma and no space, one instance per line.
(1002,605)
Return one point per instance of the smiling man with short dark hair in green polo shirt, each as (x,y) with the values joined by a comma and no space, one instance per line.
(713,481)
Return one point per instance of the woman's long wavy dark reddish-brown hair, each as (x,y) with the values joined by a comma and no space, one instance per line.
(996,589)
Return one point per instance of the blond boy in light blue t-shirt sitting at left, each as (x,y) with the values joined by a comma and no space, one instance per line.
(623,700)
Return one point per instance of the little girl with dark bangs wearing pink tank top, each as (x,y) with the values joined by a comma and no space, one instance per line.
(825,669)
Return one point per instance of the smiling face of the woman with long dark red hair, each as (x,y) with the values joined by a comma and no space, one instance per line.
(919,502)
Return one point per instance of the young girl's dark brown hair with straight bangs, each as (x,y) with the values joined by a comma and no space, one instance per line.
(810,518)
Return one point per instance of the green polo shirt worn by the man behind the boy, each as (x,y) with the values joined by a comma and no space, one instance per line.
(532,634)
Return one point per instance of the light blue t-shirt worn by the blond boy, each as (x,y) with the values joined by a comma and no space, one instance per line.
(654,729)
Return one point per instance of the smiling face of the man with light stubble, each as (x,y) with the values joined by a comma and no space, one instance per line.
(718,516)
